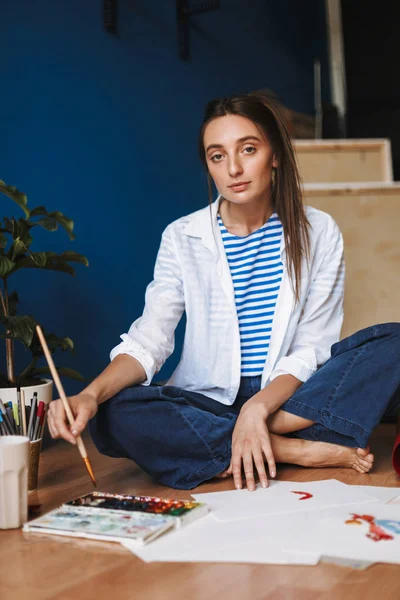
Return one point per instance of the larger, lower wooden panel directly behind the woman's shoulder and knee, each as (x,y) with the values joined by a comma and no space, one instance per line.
(370,223)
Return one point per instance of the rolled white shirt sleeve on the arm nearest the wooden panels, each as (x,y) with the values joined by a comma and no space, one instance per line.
(322,316)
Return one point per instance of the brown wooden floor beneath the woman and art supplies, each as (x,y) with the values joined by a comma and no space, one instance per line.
(45,567)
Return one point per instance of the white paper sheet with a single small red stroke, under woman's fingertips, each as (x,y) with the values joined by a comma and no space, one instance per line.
(280,498)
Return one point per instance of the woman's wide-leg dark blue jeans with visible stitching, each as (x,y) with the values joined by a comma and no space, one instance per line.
(183,438)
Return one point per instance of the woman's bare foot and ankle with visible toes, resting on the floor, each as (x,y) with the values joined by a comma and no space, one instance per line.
(320,454)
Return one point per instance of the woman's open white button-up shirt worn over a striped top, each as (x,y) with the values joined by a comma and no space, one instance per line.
(192,274)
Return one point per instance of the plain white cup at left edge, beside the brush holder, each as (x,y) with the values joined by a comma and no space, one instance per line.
(14,462)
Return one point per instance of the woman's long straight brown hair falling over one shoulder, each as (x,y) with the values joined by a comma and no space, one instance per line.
(265,111)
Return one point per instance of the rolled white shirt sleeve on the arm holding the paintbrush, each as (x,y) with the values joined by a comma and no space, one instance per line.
(151,338)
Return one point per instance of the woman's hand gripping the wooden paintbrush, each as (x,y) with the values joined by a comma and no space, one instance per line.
(83,406)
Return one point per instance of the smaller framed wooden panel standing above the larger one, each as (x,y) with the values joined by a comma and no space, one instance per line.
(344,160)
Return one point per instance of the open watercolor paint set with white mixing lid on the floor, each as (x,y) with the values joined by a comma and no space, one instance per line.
(118,517)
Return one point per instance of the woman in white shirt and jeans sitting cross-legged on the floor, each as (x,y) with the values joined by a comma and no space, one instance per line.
(262,377)
